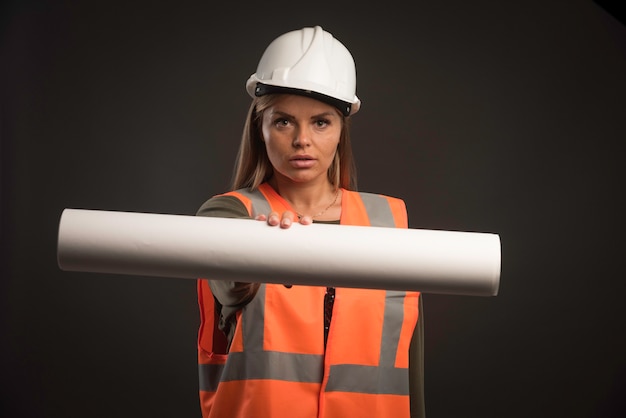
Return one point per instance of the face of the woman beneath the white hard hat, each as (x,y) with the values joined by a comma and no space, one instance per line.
(301,136)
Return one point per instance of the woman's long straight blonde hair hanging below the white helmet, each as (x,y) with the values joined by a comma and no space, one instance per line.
(253,167)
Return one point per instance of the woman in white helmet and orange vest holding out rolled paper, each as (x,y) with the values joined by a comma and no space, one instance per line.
(268,350)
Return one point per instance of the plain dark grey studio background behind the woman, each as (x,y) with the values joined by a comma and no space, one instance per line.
(489,116)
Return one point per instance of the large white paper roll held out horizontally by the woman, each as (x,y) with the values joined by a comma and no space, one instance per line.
(245,250)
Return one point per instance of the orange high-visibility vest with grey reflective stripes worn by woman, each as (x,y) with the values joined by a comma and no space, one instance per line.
(277,365)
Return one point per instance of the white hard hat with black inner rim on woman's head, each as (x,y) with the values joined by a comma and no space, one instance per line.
(309,62)
